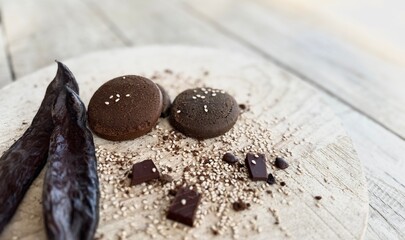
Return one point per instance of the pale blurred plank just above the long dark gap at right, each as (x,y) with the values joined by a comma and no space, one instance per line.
(355,76)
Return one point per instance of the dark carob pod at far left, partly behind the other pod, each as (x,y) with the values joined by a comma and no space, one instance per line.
(24,160)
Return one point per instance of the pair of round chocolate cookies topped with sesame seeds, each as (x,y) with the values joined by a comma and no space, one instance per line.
(128,107)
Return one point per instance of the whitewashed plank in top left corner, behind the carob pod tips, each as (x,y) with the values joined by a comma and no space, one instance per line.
(38,32)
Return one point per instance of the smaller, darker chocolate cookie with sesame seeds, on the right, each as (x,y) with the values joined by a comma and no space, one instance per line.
(204,112)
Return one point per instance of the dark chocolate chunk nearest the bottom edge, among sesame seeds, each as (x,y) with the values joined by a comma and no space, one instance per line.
(184,206)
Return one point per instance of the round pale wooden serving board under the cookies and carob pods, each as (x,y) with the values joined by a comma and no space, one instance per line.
(303,130)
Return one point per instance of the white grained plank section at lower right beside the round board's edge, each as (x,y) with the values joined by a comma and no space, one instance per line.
(381,153)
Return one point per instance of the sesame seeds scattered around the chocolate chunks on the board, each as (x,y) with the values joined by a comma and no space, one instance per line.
(220,183)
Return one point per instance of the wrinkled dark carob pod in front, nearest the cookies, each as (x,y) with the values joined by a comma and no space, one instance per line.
(71,192)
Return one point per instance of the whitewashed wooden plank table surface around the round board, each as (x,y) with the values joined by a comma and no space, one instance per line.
(351,51)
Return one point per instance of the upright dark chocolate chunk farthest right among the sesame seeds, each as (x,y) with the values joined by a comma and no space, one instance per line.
(256,164)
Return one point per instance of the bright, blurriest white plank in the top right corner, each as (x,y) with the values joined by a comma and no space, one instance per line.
(372,25)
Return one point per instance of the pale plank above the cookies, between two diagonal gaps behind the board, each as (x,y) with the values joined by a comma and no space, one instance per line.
(161,22)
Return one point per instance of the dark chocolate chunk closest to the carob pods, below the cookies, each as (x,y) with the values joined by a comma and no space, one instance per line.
(144,171)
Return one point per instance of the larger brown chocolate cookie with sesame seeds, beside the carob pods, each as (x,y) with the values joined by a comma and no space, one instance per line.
(125,108)
